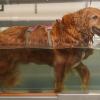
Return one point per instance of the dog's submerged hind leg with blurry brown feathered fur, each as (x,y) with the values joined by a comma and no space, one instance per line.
(8,74)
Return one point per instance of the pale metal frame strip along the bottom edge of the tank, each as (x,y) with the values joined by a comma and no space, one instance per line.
(58,97)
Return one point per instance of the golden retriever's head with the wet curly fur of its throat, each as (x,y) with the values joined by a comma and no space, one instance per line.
(86,22)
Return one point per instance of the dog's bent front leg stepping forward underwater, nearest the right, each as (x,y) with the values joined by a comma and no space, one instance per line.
(83,71)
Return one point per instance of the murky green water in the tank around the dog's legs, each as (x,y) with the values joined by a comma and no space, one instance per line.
(40,78)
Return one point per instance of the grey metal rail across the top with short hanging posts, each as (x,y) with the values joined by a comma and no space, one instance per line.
(3,2)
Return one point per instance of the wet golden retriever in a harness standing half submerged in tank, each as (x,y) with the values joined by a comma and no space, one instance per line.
(64,46)
